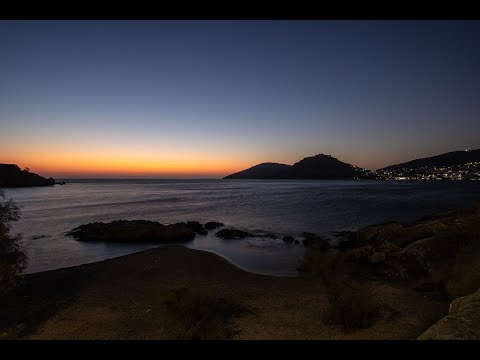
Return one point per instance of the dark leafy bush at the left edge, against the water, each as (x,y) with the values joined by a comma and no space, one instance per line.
(12,257)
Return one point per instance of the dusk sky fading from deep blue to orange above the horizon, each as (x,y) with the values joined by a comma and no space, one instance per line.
(202,99)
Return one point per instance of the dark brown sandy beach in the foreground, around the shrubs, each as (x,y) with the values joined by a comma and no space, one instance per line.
(121,298)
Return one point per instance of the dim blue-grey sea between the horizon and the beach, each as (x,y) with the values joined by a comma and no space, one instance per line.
(282,207)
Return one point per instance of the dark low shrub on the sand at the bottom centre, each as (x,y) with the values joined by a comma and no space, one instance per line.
(199,317)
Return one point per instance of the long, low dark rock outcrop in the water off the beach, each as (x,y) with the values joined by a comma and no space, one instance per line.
(132,231)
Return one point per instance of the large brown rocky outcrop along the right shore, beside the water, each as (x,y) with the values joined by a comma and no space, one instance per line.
(429,249)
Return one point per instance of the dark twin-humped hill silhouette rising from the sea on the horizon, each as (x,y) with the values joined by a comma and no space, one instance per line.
(315,167)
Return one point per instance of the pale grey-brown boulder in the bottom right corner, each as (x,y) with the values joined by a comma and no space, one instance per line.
(461,323)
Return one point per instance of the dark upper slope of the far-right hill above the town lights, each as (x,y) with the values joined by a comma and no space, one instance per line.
(449,159)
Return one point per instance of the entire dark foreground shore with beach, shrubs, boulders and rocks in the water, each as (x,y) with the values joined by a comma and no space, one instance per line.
(386,281)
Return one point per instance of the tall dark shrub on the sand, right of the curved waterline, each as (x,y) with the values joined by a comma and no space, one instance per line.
(350,305)
